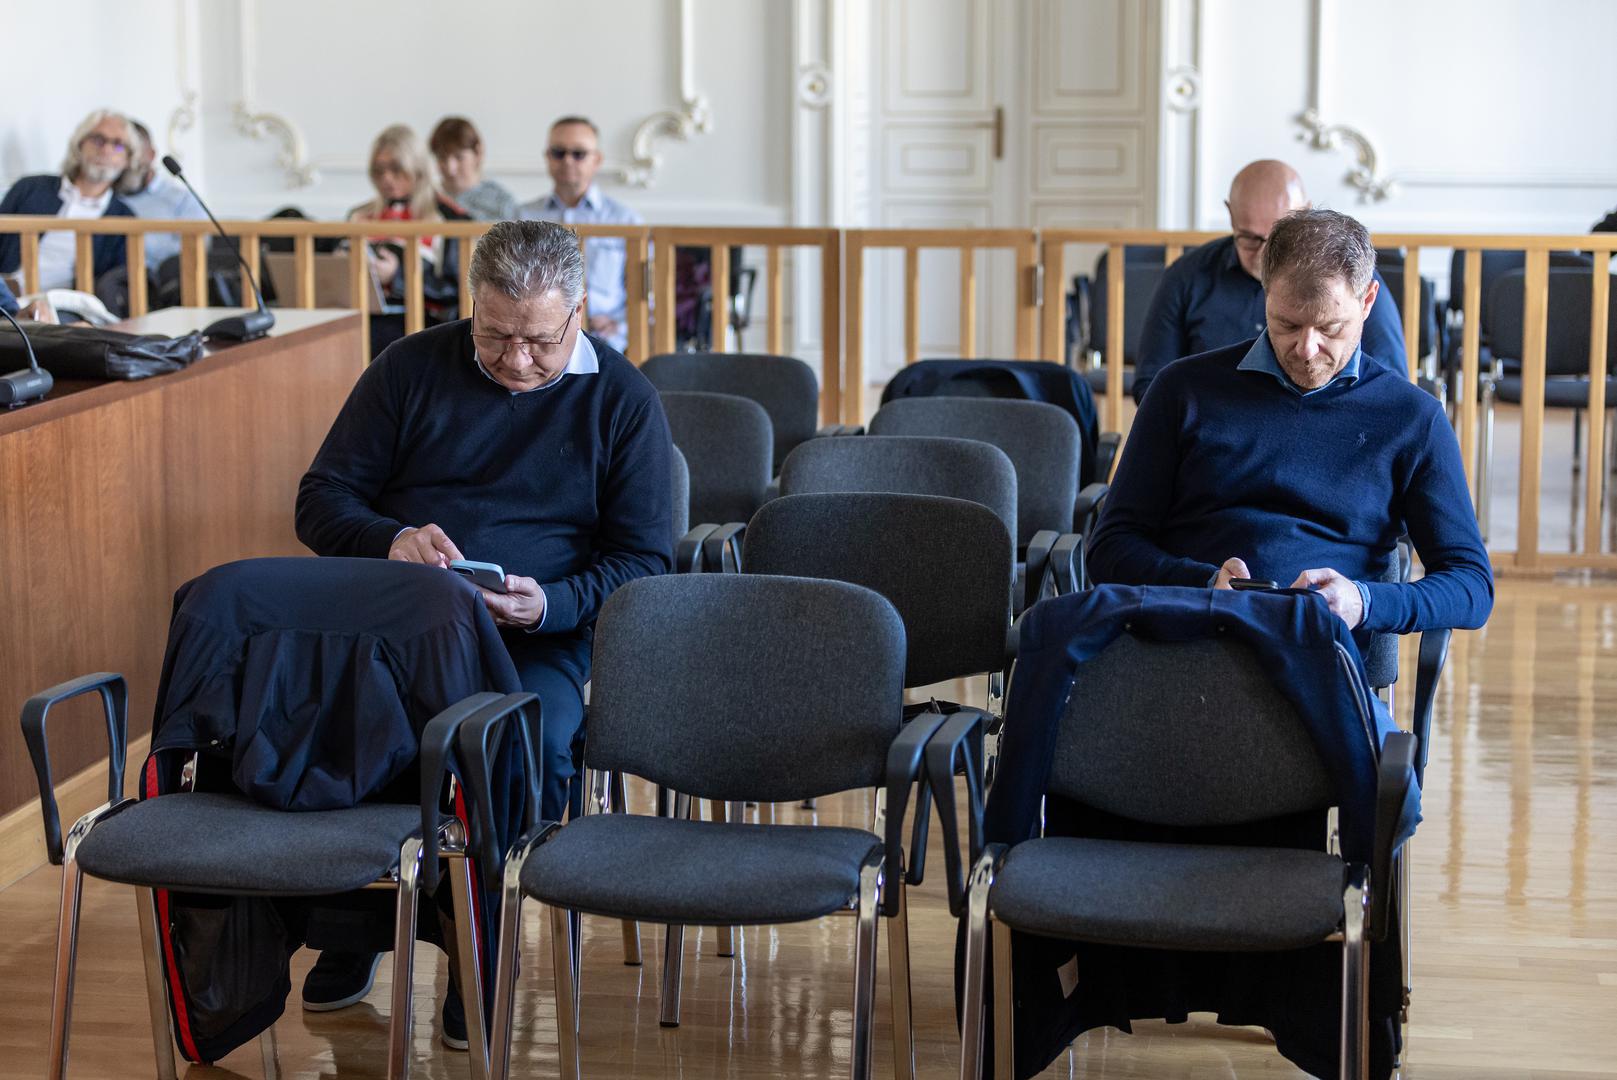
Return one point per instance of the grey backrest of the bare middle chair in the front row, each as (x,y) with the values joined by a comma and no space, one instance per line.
(745,686)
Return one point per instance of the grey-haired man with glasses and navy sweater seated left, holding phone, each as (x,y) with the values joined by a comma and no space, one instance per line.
(515,439)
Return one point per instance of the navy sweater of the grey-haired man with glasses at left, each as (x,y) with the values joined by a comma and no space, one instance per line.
(568,484)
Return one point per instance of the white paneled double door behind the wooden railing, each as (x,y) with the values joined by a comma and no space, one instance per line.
(1002,114)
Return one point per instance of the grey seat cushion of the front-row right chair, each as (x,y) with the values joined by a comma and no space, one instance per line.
(1170,896)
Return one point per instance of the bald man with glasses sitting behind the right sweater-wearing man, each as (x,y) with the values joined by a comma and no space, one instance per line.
(1212,297)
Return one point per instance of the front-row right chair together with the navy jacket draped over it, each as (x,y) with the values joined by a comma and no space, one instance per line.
(1184,783)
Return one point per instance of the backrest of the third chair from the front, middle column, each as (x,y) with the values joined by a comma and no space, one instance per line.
(955,468)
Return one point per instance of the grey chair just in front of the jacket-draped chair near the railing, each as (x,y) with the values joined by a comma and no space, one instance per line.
(1047,450)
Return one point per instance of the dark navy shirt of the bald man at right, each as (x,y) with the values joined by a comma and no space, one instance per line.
(1207,302)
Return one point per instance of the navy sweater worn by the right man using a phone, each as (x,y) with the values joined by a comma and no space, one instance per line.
(1226,463)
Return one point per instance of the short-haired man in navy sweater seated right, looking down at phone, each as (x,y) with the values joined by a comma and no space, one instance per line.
(1298,458)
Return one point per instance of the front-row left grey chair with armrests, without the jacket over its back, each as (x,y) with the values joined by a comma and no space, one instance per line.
(230,846)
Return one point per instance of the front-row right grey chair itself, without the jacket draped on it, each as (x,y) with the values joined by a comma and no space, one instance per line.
(1146,741)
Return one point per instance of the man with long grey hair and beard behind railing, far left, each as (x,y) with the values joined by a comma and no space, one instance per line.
(101,150)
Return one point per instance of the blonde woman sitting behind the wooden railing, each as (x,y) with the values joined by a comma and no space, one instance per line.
(402,174)
